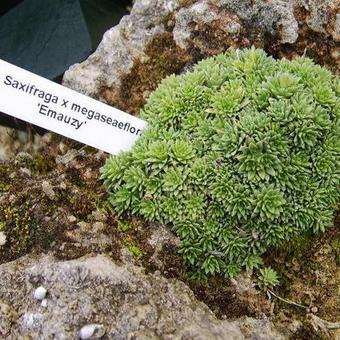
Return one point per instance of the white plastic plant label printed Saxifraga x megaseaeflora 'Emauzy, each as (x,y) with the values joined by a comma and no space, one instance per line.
(41,102)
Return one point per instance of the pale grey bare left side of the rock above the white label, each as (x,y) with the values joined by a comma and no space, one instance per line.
(120,46)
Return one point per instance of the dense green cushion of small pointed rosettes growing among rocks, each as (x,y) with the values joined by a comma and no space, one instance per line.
(241,154)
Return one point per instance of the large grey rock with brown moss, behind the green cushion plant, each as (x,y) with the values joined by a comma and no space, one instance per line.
(196,29)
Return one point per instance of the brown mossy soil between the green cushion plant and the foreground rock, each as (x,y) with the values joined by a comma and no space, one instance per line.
(52,201)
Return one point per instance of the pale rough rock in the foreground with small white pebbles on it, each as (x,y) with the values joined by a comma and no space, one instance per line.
(123,301)
